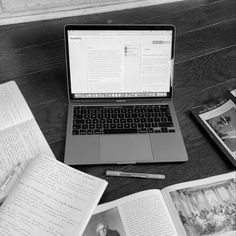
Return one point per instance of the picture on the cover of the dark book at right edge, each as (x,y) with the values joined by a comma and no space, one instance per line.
(224,126)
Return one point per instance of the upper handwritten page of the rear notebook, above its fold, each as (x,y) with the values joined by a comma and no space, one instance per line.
(13,107)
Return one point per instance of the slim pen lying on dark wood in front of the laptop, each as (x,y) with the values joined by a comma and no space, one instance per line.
(134,175)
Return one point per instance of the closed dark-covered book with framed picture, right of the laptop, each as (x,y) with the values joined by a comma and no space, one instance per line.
(218,118)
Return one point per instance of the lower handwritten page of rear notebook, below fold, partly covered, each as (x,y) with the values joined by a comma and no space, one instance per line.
(19,144)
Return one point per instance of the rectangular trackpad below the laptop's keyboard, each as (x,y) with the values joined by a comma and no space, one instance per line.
(125,148)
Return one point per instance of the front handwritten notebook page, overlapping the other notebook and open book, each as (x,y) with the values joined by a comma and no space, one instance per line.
(50,199)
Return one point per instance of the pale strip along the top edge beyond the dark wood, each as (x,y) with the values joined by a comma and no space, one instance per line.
(15,11)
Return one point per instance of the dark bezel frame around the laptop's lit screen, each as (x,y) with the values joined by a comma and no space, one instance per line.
(118,27)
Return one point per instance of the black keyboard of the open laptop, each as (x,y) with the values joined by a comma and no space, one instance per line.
(137,119)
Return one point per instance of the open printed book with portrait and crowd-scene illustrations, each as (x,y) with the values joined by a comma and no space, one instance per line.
(201,207)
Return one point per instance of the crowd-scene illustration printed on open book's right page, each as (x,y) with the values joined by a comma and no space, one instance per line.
(207,209)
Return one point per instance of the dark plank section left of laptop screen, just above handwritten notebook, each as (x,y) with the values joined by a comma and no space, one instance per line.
(31,60)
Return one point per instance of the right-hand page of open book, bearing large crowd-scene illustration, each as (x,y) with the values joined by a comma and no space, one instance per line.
(204,207)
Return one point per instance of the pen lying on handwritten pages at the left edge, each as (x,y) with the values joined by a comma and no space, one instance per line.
(4,189)
